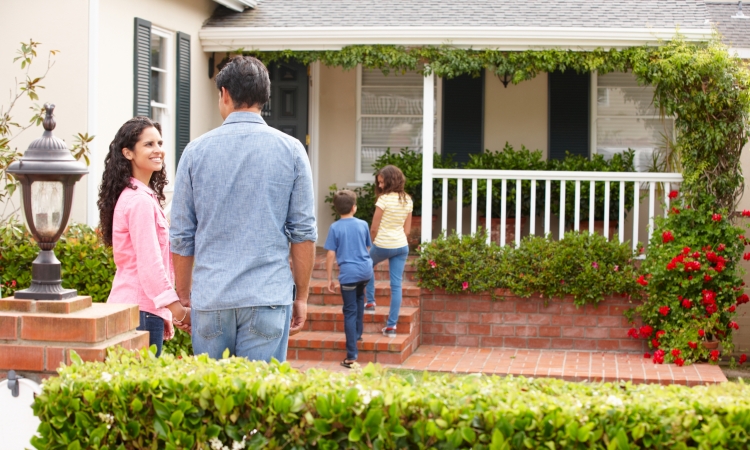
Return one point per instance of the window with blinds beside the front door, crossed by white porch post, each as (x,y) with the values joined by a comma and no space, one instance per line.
(389,116)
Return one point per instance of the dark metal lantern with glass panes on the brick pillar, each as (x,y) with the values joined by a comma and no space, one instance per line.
(48,173)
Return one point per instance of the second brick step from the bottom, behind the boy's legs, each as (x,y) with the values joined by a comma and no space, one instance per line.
(331,318)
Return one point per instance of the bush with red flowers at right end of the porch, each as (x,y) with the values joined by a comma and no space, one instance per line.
(695,257)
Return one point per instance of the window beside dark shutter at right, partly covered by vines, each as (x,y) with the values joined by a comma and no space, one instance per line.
(625,118)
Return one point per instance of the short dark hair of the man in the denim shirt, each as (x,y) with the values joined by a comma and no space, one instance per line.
(246,80)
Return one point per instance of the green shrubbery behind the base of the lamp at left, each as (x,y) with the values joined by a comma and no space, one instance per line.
(87,264)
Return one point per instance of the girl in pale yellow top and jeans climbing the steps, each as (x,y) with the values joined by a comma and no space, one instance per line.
(391,224)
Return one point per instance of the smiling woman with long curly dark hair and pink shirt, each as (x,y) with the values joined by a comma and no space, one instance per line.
(133,223)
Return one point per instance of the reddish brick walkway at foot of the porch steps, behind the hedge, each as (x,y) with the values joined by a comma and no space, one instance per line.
(567,365)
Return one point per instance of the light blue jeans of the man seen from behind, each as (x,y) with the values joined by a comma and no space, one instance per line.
(257,333)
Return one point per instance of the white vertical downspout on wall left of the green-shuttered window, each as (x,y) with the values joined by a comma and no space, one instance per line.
(92,213)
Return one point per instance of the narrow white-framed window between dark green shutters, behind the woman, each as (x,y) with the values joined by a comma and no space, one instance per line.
(162,88)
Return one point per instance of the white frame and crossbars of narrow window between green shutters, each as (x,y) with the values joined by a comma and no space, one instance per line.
(168,107)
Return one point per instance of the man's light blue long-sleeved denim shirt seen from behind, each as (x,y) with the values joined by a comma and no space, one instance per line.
(243,192)
